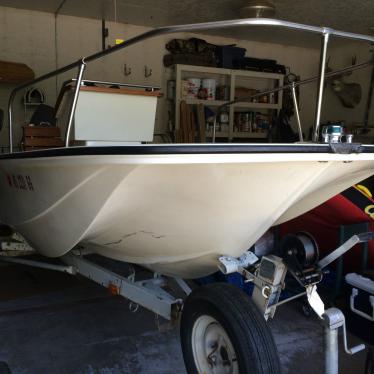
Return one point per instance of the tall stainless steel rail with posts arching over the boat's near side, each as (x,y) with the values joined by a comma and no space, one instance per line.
(324,31)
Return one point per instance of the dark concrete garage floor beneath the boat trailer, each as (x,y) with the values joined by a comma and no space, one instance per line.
(55,323)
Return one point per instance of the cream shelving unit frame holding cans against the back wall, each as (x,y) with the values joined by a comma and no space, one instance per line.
(233,79)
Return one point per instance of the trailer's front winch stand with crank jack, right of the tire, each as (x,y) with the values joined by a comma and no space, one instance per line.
(299,256)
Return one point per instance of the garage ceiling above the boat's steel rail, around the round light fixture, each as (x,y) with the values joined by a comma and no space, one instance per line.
(348,15)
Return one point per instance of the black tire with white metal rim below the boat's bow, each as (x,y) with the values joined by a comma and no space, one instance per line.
(222,332)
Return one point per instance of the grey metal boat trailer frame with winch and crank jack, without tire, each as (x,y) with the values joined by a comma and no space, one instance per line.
(298,256)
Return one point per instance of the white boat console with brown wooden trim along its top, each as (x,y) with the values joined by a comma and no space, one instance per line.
(123,114)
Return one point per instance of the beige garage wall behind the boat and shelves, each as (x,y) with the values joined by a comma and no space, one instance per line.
(44,43)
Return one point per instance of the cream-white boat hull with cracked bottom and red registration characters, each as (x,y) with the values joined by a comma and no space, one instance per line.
(175,214)
